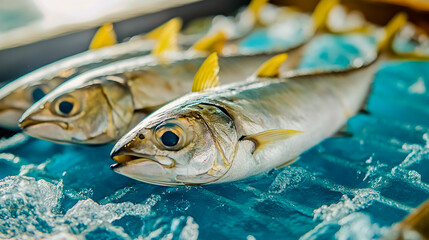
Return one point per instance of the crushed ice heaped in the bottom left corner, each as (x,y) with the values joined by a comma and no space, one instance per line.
(31,209)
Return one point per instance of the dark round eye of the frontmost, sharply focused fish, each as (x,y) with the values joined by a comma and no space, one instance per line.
(170,137)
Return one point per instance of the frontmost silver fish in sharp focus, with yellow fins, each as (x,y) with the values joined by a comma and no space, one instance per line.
(243,129)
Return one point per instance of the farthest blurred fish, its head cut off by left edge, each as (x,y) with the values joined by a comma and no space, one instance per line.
(19,95)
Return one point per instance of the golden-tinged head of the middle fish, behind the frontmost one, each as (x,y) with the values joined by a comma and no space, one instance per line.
(97,112)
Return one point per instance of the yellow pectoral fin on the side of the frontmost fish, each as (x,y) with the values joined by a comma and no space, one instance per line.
(265,138)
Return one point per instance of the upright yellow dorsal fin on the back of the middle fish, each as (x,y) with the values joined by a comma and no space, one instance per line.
(167,40)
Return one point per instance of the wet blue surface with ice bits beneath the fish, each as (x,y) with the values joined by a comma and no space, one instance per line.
(343,188)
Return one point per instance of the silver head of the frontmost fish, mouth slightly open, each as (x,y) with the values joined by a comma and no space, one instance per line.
(193,144)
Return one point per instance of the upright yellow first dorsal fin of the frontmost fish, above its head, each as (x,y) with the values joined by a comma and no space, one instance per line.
(207,75)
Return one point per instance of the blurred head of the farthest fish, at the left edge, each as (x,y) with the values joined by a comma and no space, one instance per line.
(18,96)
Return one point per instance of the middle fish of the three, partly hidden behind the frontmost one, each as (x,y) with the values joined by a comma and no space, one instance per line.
(127,91)
